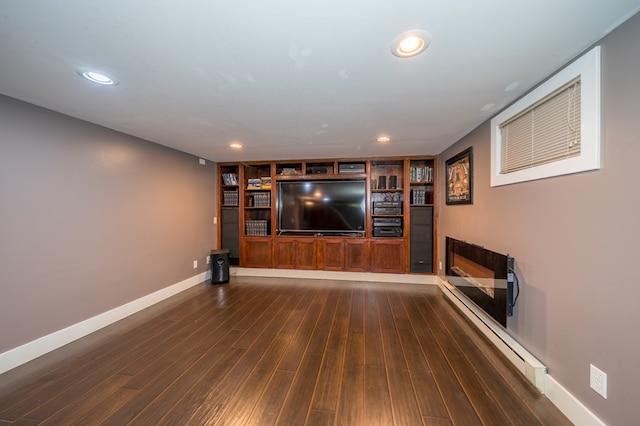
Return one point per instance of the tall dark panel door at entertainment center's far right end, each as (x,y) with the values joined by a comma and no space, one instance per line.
(421,240)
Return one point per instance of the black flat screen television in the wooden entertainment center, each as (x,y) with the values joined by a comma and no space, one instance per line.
(326,207)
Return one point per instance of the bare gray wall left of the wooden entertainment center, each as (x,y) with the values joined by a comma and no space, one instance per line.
(91,219)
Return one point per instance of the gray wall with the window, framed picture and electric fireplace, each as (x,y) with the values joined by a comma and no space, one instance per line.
(576,242)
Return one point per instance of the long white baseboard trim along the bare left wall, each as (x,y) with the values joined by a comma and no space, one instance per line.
(32,350)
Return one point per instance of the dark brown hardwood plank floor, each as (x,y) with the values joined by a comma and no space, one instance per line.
(263,351)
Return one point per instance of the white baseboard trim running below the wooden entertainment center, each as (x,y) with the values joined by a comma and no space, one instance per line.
(334,275)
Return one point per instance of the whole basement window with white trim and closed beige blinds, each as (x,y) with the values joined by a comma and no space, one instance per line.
(552,131)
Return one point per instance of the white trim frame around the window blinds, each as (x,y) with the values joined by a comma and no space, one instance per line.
(587,67)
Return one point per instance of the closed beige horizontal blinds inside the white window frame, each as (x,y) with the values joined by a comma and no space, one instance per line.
(547,131)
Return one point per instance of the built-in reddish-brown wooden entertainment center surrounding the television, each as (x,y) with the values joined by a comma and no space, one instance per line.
(398,234)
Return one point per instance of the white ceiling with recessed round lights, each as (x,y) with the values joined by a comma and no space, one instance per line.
(291,79)
